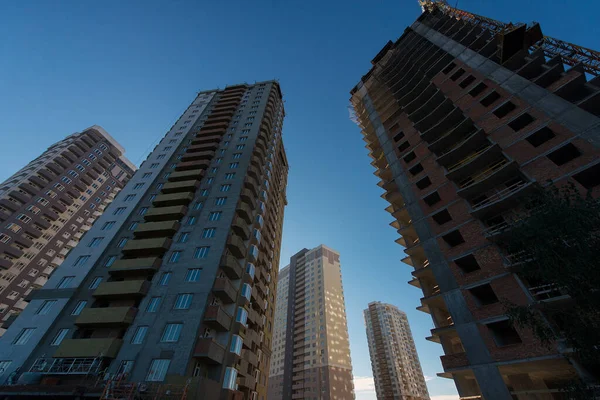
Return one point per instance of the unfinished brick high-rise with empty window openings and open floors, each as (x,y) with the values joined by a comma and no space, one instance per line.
(464,115)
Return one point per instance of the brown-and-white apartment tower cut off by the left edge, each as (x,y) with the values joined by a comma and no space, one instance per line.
(47,206)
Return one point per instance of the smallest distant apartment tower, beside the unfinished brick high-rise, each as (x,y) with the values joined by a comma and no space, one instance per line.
(396,368)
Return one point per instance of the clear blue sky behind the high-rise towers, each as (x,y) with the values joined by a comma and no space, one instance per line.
(133,66)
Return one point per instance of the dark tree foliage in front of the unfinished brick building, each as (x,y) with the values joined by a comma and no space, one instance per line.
(557,237)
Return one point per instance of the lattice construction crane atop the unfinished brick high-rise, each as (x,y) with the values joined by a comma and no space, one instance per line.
(570,53)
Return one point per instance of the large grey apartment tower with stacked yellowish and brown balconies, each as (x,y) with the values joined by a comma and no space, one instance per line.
(175,282)
